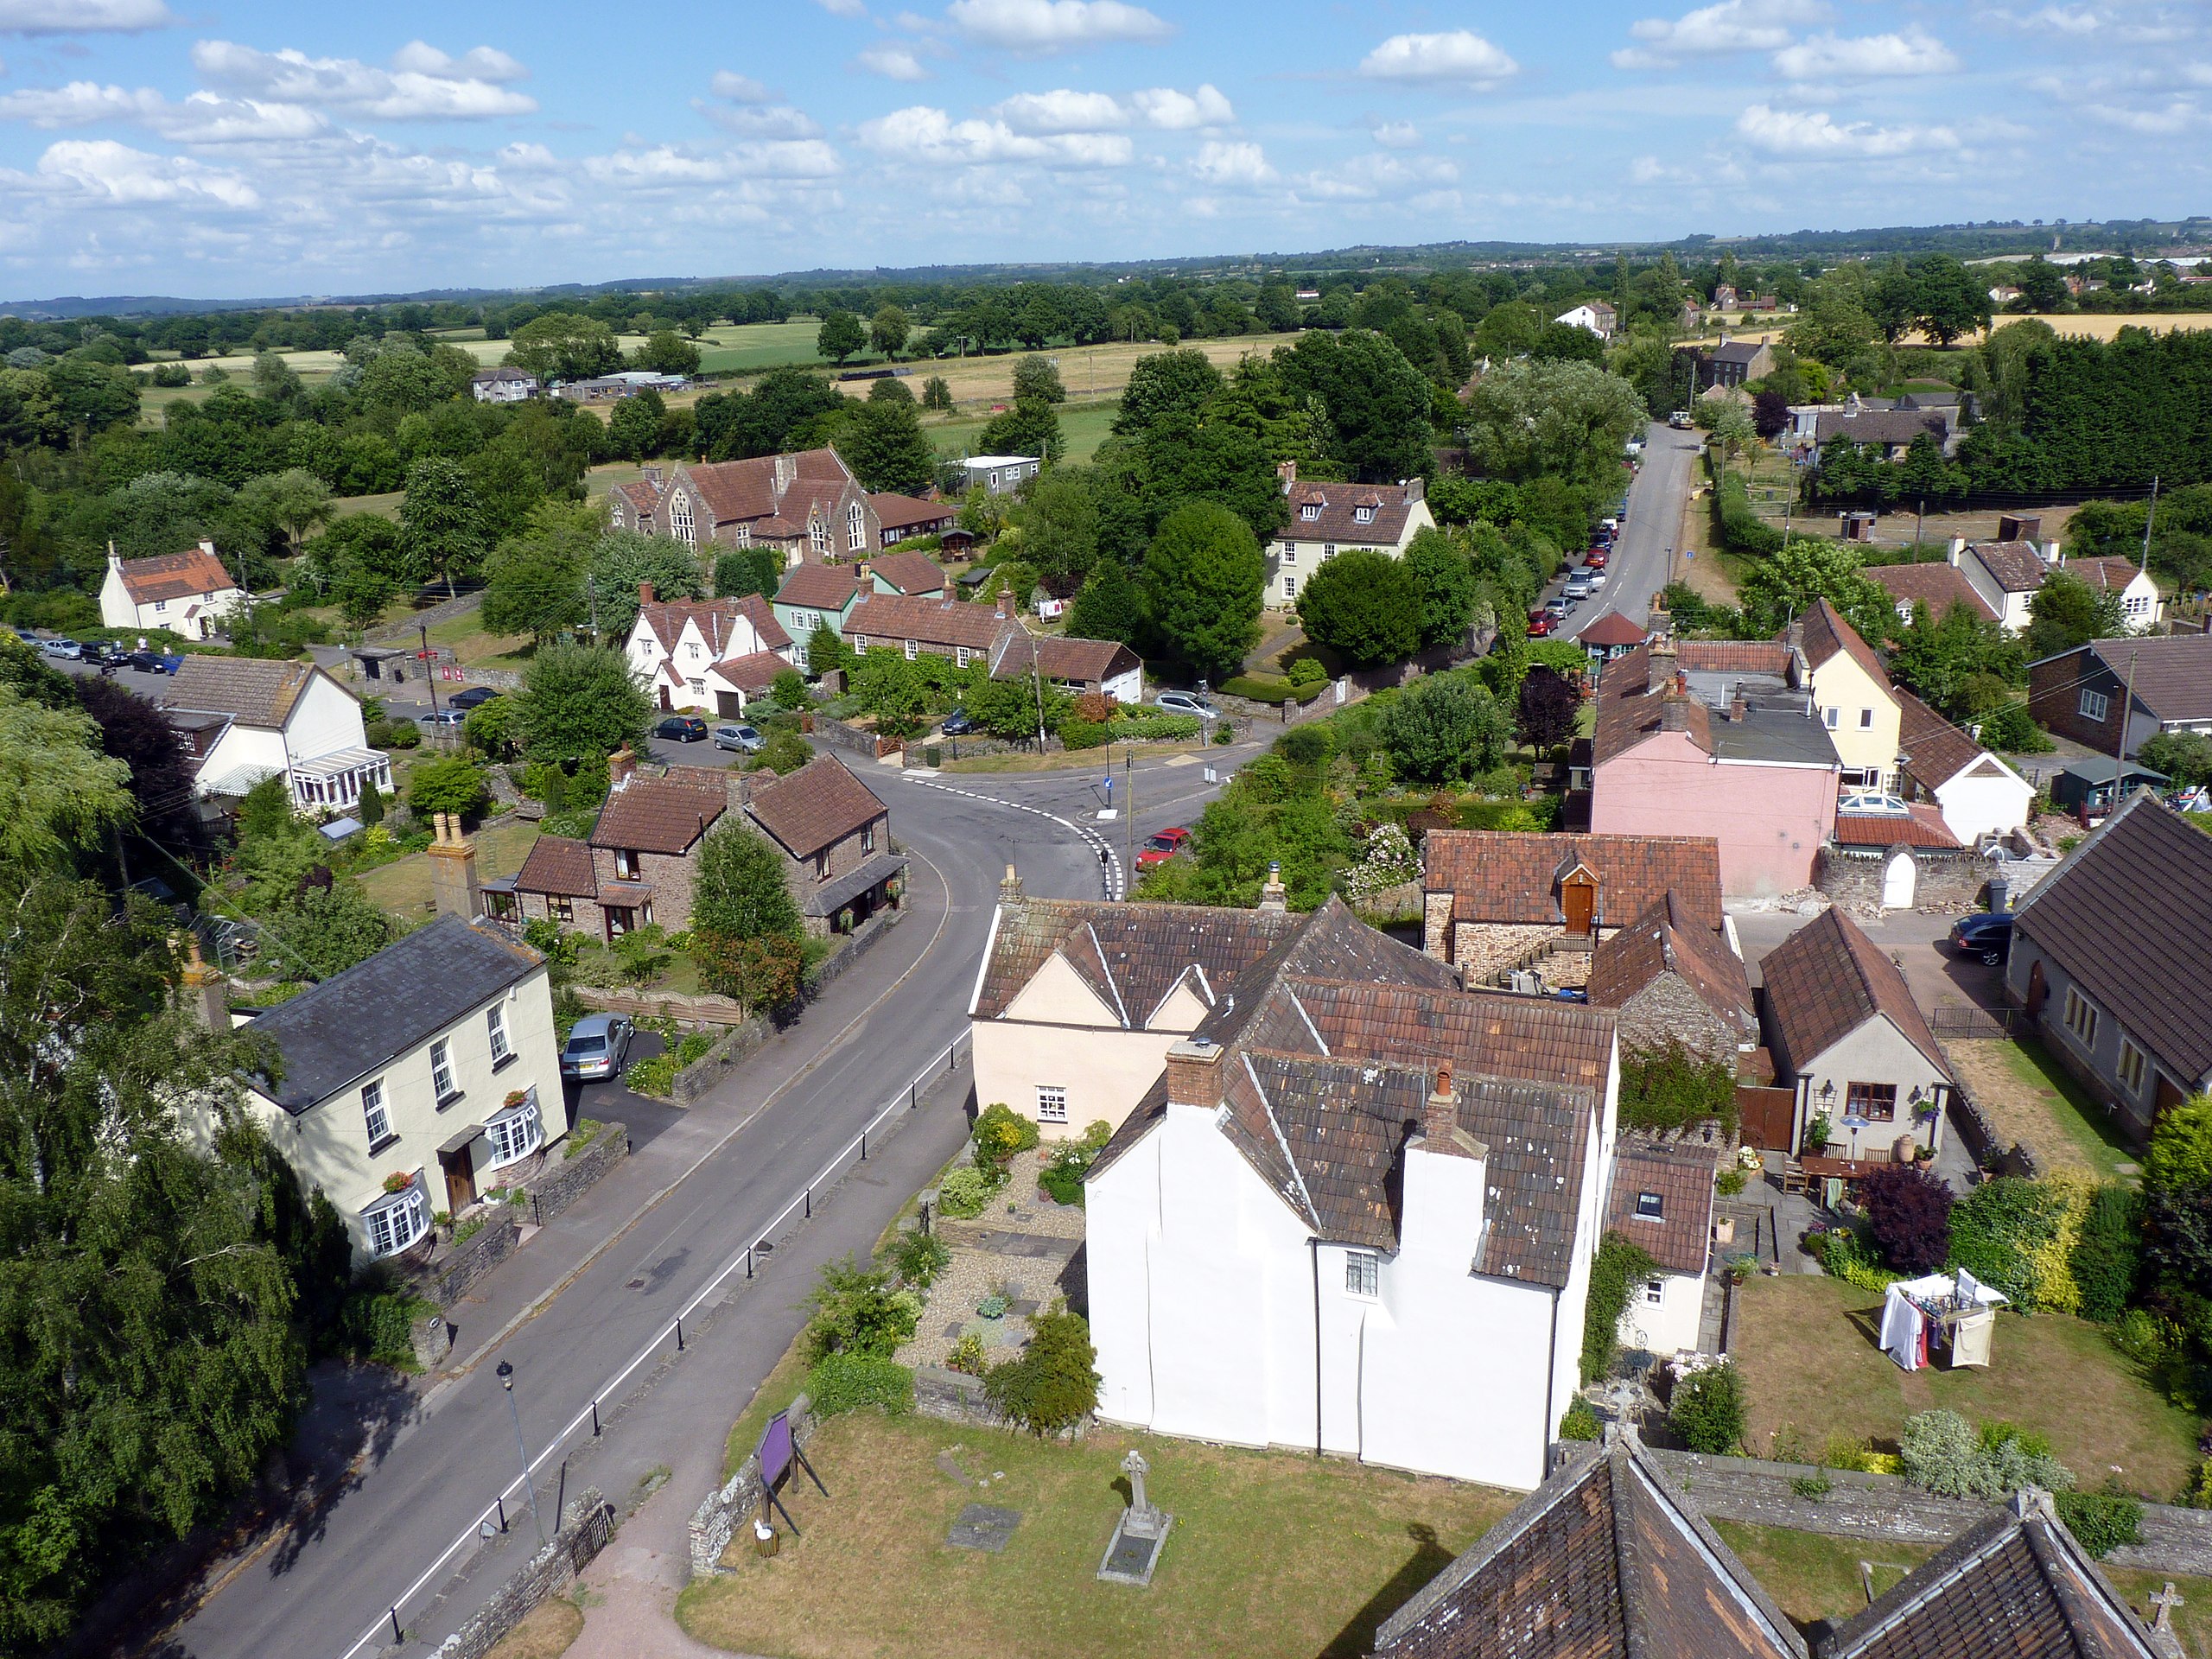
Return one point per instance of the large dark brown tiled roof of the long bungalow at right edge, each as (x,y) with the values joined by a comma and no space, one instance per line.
(2129,917)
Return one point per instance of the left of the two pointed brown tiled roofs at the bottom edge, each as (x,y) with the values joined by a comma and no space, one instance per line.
(1605,1561)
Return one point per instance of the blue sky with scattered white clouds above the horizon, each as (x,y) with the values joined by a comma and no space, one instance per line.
(258,149)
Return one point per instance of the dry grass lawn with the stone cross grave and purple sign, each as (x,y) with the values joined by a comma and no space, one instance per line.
(1273,1554)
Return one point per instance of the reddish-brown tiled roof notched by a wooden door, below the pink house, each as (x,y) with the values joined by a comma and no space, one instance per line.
(1507,877)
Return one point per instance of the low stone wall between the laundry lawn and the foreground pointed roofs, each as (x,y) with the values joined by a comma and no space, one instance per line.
(1886,1510)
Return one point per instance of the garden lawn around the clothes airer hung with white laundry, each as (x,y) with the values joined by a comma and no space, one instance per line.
(1811,1366)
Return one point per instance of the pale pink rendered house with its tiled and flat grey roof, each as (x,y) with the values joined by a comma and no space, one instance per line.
(1738,755)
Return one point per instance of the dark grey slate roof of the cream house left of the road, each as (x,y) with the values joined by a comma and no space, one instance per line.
(346,1027)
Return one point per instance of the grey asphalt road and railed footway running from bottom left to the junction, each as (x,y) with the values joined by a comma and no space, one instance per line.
(603,1282)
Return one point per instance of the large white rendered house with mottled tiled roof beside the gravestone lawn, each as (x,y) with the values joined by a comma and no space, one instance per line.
(1359,1218)
